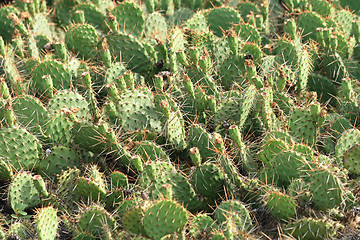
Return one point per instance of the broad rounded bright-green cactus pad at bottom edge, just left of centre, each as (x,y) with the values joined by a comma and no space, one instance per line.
(164,217)
